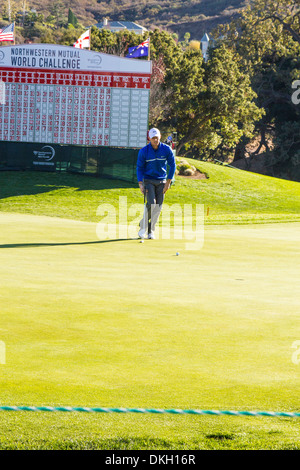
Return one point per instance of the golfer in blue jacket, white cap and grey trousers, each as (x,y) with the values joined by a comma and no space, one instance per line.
(153,179)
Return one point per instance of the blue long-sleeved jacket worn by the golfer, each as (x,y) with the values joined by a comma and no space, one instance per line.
(152,164)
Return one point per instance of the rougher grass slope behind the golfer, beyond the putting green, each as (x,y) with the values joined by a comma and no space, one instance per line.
(232,196)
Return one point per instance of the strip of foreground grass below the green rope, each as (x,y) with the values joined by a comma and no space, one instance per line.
(90,432)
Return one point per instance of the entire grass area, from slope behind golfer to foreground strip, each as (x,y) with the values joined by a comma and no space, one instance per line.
(85,324)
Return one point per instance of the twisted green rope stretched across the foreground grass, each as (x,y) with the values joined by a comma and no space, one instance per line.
(147,411)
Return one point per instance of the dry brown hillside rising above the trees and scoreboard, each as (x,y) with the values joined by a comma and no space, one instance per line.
(193,16)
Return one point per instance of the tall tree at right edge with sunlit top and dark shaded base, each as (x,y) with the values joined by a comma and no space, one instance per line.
(266,37)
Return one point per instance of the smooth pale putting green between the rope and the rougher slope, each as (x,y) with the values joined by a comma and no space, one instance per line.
(118,323)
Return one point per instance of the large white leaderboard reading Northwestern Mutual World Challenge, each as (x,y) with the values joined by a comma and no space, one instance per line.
(102,101)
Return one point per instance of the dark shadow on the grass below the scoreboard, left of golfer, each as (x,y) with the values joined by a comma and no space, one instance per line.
(16,183)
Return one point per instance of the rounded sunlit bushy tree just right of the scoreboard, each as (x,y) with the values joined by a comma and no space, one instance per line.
(213,103)
